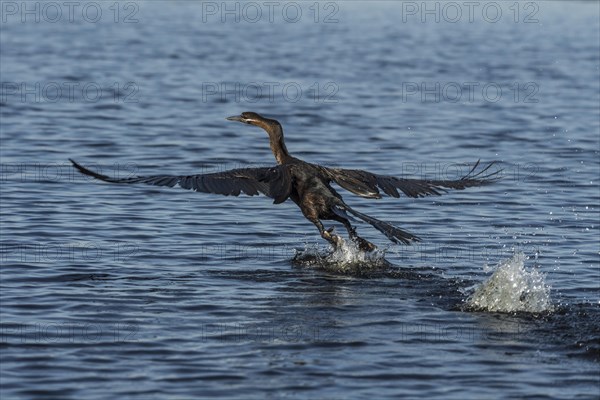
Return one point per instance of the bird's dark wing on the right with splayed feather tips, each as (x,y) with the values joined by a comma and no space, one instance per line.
(367,184)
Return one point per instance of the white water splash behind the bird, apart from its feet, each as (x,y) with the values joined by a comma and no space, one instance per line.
(512,288)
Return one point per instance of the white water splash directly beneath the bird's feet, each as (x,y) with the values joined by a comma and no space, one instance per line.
(345,258)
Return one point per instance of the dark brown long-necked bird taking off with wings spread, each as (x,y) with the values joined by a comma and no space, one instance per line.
(309,186)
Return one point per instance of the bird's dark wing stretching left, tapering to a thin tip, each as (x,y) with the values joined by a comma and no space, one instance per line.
(274,182)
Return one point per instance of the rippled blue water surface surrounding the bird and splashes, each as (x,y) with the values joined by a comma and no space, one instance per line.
(143,292)
